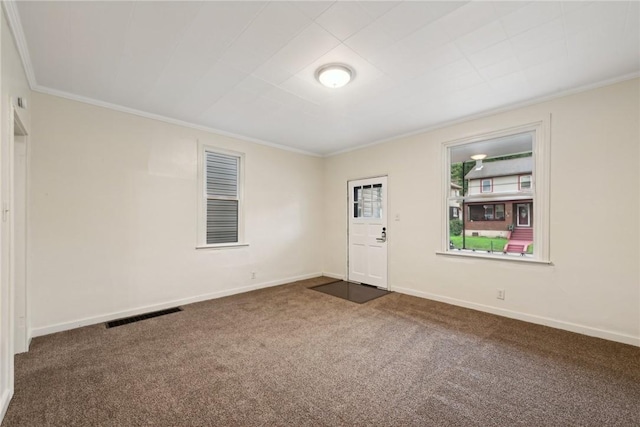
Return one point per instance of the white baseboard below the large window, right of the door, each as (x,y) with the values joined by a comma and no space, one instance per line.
(539,320)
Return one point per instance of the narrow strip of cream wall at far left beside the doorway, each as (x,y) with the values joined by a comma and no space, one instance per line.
(13,84)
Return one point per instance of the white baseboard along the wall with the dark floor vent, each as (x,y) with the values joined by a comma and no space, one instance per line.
(59,327)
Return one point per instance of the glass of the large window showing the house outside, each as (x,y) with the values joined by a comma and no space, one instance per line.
(491,174)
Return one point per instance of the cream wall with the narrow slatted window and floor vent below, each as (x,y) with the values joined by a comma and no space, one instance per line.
(113,216)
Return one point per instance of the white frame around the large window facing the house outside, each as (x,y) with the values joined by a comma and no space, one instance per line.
(540,189)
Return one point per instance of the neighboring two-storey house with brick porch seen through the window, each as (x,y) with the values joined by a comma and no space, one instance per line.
(499,200)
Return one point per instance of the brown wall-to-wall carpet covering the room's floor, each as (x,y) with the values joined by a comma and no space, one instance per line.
(293,356)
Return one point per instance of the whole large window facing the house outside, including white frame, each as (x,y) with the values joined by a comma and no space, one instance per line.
(504,195)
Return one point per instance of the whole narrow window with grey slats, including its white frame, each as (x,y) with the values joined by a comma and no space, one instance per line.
(221,202)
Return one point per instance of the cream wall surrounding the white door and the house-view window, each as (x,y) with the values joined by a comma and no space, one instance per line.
(593,285)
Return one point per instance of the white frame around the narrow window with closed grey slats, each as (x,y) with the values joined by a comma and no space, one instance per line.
(201,238)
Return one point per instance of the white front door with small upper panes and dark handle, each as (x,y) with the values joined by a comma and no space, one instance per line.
(368,231)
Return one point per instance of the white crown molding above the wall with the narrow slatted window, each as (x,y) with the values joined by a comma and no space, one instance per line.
(158,117)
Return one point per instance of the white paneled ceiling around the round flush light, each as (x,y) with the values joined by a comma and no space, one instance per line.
(248,68)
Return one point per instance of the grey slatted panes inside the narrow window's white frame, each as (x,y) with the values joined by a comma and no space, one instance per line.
(222,197)
